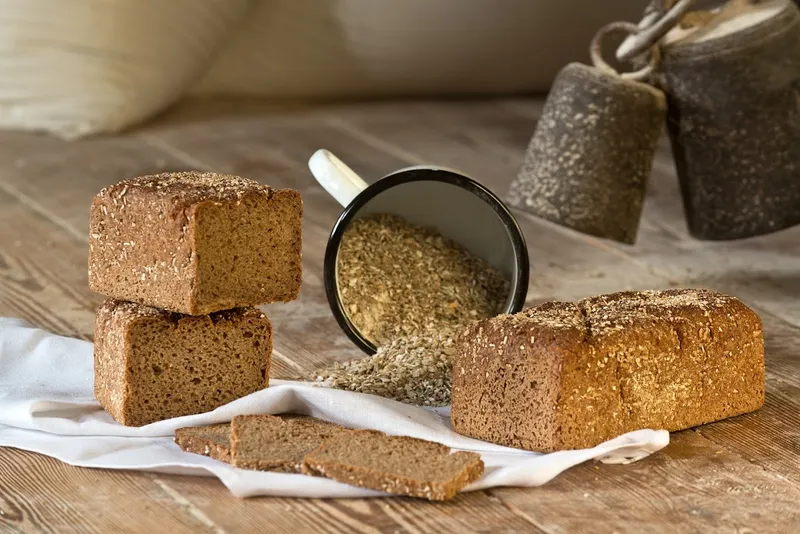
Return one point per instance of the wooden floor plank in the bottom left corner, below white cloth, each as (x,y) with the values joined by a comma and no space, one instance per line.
(39,494)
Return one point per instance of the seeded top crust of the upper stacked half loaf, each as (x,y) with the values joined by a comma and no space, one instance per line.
(189,187)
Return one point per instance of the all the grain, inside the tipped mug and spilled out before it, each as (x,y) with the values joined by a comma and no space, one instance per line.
(410,291)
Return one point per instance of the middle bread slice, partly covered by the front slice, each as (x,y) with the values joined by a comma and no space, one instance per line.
(271,443)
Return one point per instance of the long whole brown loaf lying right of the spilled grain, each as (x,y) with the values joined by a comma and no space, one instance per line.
(569,376)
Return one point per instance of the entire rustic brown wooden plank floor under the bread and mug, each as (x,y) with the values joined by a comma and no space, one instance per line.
(739,475)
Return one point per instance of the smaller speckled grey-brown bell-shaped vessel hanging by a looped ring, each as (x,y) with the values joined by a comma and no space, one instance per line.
(588,162)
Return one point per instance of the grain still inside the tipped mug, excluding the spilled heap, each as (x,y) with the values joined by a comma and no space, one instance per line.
(396,278)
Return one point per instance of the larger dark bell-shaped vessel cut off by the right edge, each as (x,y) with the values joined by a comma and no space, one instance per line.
(733,89)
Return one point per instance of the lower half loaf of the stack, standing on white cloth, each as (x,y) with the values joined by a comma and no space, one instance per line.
(151,364)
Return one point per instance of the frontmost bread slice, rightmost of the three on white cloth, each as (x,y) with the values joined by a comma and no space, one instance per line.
(395,464)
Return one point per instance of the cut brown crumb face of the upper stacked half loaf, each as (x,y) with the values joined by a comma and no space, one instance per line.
(248,253)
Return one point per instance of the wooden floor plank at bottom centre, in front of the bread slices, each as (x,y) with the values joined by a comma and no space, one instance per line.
(471,512)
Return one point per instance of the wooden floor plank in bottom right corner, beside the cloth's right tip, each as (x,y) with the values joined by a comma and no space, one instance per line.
(692,486)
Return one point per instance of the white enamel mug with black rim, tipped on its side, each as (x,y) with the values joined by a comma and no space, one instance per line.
(453,204)
